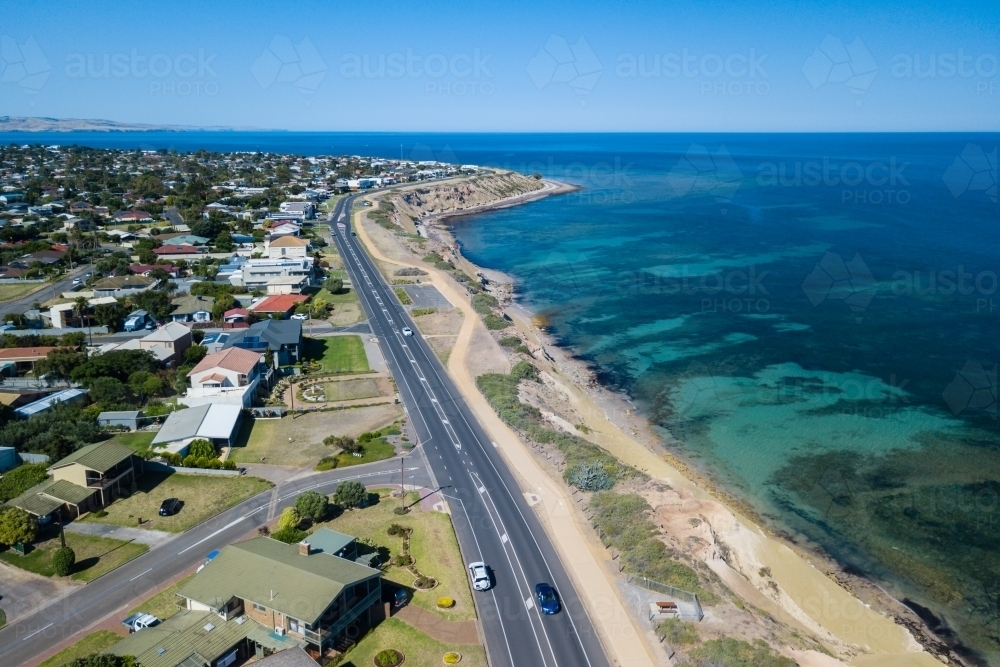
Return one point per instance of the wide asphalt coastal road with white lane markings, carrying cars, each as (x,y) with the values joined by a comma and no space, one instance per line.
(491,517)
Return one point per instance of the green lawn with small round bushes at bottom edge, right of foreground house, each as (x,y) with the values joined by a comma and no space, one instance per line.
(419,649)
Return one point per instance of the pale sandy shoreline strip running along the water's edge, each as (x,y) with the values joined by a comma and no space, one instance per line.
(618,410)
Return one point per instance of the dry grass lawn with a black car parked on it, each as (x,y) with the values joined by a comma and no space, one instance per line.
(203,496)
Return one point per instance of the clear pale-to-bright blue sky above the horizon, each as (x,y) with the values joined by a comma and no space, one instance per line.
(515,66)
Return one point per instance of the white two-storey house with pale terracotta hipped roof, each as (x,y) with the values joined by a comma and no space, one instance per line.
(231,376)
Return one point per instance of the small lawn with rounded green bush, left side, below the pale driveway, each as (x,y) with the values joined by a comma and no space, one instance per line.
(94,555)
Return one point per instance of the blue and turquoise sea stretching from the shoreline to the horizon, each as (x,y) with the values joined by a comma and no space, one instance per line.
(812,320)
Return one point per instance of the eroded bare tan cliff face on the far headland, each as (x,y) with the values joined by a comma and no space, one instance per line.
(484,190)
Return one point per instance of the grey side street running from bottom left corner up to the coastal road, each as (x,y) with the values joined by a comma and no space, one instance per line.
(35,632)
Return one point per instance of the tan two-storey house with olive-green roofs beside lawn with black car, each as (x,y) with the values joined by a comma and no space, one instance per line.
(88,479)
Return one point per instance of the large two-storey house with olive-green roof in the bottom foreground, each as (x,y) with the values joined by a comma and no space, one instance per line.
(293,592)
